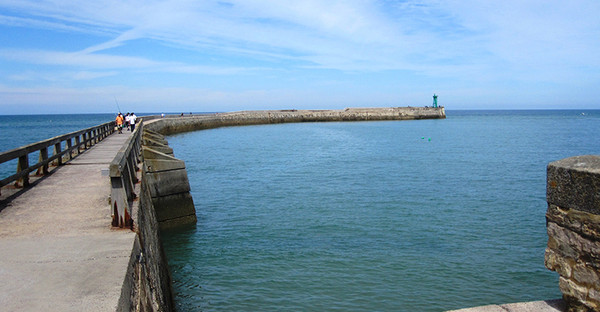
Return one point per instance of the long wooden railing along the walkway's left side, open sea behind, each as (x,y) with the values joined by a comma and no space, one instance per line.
(74,143)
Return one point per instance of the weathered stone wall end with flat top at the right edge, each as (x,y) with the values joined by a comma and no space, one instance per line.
(573,224)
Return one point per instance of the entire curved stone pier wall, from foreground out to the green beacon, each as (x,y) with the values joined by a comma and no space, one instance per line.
(165,201)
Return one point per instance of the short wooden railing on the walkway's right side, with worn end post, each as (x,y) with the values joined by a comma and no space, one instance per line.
(123,177)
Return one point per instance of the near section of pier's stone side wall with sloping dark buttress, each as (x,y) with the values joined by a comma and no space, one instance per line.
(164,201)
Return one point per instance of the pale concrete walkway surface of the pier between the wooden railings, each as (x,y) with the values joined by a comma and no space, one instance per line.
(58,251)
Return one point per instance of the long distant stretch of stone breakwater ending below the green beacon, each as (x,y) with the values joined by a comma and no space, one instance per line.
(168,126)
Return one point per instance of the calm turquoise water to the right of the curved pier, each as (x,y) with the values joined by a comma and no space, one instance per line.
(425,215)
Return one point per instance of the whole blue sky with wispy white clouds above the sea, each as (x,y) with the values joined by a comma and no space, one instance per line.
(63,56)
